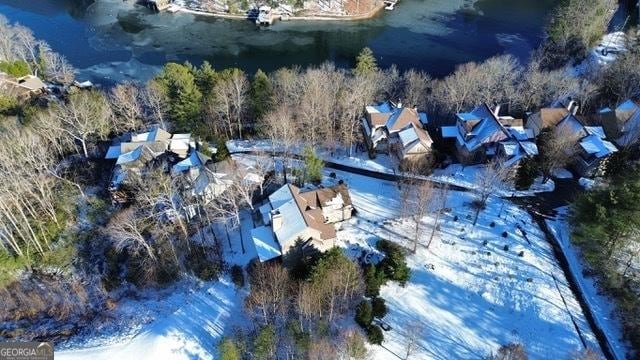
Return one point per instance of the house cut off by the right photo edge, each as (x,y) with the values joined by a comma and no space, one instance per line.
(622,124)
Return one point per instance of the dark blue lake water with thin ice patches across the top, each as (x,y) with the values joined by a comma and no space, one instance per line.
(116,39)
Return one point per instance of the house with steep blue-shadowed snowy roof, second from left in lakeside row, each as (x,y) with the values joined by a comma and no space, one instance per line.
(483,133)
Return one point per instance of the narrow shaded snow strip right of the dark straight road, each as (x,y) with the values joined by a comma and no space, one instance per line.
(602,307)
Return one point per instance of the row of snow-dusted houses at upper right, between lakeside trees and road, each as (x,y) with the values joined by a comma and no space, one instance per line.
(487,131)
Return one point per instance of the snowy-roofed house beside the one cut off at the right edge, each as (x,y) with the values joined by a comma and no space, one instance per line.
(592,148)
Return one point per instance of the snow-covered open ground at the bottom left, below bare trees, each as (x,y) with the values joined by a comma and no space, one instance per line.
(191,332)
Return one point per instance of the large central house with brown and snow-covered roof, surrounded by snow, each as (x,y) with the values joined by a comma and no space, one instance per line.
(292,215)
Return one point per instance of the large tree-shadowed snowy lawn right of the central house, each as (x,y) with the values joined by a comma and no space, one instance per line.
(468,298)
